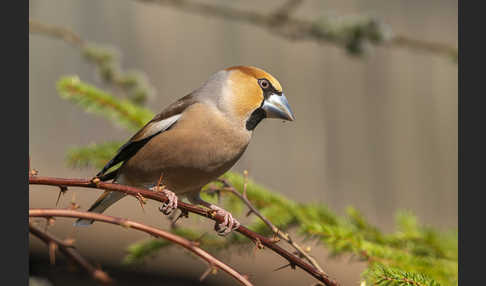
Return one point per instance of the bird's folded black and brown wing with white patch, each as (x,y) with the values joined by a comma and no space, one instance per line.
(160,123)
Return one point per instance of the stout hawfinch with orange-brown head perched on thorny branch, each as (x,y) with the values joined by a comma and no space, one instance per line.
(196,139)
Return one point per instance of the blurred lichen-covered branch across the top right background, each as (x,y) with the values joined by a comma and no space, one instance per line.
(352,36)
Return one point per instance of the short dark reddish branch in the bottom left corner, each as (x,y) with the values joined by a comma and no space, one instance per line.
(71,253)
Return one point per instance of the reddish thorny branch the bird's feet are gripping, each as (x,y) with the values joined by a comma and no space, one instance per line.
(158,196)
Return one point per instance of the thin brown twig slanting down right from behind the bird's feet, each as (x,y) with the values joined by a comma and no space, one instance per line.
(285,236)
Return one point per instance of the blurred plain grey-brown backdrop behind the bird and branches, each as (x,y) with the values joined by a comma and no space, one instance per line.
(377,132)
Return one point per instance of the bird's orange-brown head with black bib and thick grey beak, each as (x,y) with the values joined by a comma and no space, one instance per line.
(250,94)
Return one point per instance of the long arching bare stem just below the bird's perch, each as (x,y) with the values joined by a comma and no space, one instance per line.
(189,245)
